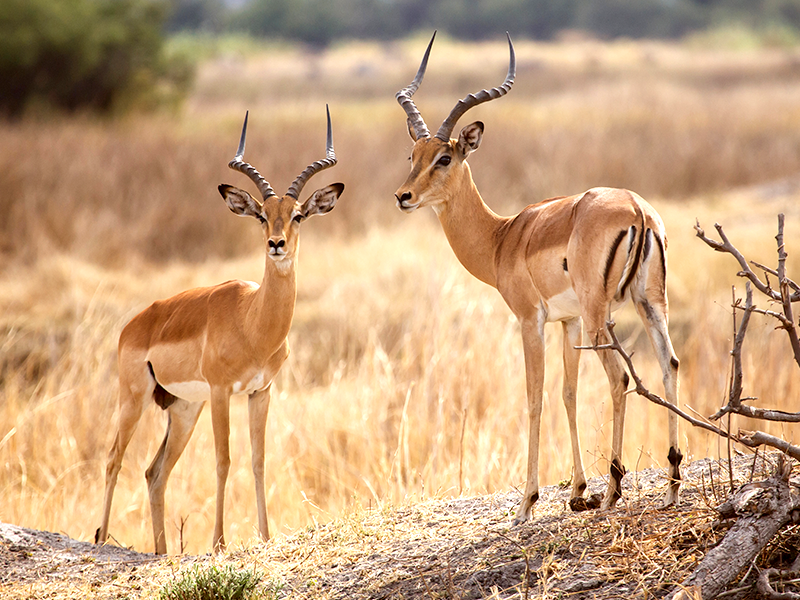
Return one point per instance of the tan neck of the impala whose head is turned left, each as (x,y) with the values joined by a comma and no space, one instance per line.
(471,228)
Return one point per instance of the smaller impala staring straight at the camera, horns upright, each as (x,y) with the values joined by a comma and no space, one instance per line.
(214,342)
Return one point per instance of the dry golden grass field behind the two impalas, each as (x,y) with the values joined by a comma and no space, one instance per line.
(396,350)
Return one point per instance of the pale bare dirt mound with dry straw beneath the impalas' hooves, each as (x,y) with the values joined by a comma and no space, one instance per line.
(457,548)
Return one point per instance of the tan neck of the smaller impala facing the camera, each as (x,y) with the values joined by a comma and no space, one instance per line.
(273,305)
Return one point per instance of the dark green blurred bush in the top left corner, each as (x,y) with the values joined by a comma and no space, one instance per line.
(86,54)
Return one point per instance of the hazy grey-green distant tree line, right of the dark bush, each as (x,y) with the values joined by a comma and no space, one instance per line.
(319,22)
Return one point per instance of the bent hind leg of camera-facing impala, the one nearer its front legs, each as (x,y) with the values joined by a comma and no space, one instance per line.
(182,418)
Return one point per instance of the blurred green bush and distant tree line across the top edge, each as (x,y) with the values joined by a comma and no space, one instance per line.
(111,55)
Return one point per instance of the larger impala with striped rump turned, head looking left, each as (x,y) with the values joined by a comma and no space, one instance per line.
(572,259)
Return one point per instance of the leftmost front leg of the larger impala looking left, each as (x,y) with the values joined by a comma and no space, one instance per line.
(533,344)
